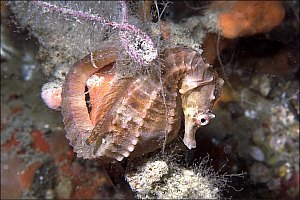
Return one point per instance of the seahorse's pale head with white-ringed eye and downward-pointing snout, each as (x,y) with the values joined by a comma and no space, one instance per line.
(198,91)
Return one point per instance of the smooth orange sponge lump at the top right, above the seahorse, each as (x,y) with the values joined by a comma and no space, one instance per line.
(245,18)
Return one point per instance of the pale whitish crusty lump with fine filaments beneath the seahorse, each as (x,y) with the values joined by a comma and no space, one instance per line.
(160,177)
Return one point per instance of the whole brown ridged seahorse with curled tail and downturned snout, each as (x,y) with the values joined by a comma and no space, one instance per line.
(132,117)
